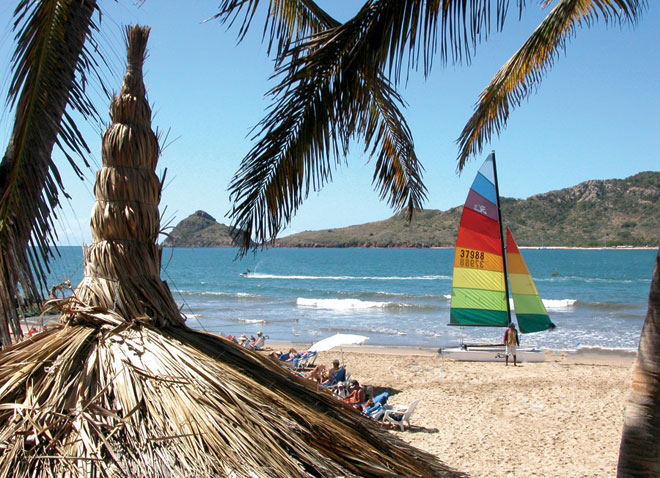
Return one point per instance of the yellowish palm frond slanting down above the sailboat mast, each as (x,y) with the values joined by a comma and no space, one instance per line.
(519,77)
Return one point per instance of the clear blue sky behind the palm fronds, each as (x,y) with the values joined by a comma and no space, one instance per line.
(595,115)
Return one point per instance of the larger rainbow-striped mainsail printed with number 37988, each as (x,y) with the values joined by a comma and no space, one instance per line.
(479,288)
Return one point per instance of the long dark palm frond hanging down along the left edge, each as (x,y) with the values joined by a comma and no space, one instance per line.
(50,40)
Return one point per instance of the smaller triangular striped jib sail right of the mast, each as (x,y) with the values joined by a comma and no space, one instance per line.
(530,311)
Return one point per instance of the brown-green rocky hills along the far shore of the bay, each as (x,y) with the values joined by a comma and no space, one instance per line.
(595,213)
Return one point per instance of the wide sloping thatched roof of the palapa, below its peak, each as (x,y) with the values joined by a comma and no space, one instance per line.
(143,402)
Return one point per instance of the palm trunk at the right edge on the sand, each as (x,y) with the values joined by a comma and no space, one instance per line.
(639,454)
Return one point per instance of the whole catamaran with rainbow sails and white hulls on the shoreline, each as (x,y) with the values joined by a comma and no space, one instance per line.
(484,273)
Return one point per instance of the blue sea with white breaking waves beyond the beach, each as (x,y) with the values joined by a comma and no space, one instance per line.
(396,297)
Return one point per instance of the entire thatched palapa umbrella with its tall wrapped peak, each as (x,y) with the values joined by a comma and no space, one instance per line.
(121,387)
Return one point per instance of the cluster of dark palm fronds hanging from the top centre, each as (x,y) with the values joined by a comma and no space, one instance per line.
(332,89)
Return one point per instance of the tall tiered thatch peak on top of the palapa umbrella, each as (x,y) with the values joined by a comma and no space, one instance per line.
(122,266)
